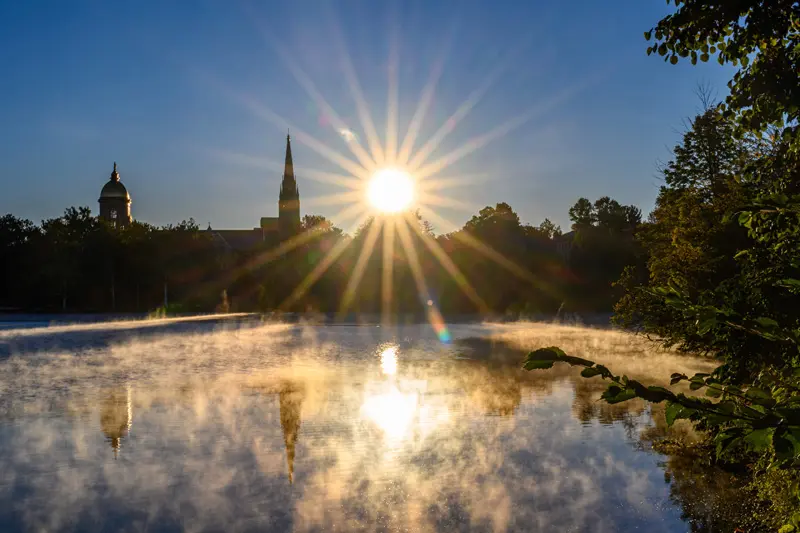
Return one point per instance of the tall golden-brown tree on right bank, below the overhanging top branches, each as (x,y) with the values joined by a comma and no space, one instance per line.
(686,240)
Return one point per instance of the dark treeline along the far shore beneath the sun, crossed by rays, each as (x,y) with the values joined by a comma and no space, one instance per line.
(494,264)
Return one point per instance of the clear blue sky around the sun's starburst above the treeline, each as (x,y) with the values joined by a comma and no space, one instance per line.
(192,99)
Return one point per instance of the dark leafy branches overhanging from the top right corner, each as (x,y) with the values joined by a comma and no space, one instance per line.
(760,37)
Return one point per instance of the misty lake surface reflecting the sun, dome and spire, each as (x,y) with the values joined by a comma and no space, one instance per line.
(240,425)
